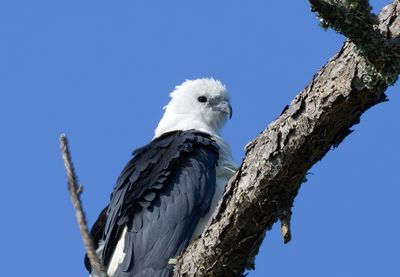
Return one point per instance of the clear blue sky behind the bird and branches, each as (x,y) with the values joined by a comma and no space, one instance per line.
(101,71)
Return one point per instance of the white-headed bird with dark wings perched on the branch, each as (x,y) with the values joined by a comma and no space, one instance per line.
(168,191)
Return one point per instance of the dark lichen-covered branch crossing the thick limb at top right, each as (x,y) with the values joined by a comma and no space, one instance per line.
(353,19)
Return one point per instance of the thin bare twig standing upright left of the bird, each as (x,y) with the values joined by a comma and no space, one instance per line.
(75,192)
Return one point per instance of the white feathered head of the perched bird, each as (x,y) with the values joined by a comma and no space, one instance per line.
(201,104)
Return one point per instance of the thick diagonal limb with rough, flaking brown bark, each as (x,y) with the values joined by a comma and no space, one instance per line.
(277,161)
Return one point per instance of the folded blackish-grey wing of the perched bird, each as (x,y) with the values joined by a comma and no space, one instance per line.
(160,196)
